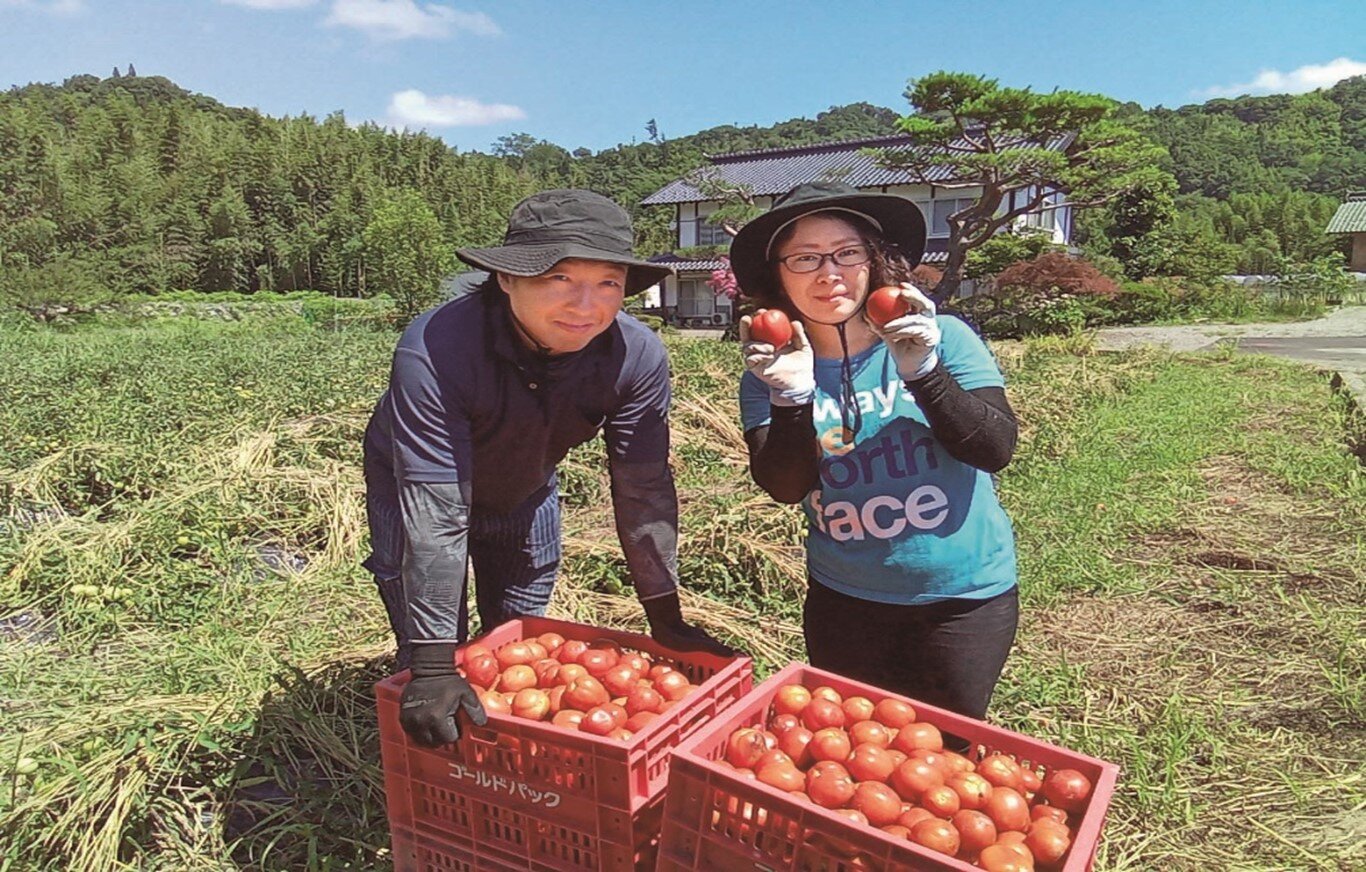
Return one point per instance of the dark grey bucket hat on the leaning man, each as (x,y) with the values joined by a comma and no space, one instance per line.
(553,226)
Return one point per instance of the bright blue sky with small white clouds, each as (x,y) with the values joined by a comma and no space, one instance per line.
(594,73)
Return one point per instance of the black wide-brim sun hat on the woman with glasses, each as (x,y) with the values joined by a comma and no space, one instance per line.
(898,221)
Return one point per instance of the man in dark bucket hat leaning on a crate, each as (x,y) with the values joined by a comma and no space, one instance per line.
(487,396)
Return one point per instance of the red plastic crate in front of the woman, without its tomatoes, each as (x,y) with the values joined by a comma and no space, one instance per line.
(715,819)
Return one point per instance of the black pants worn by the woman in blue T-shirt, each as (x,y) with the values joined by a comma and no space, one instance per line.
(947,654)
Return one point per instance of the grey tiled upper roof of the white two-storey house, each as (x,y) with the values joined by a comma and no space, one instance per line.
(777,172)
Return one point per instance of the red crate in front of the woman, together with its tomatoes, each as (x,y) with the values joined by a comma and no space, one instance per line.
(816,772)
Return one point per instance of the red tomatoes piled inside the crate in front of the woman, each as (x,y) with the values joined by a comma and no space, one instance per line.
(879,766)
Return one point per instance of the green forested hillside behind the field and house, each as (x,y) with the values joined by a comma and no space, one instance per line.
(135,185)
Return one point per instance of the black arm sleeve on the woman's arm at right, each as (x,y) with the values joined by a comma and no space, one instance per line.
(976,427)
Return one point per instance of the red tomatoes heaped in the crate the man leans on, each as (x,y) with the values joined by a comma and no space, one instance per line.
(596,688)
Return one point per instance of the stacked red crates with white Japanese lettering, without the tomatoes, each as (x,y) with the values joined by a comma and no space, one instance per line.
(522,795)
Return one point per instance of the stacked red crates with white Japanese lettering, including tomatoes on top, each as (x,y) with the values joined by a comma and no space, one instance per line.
(572,767)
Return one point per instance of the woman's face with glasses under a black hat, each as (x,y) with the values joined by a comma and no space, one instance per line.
(831,295)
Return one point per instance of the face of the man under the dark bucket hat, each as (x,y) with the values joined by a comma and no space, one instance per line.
(569,305)
